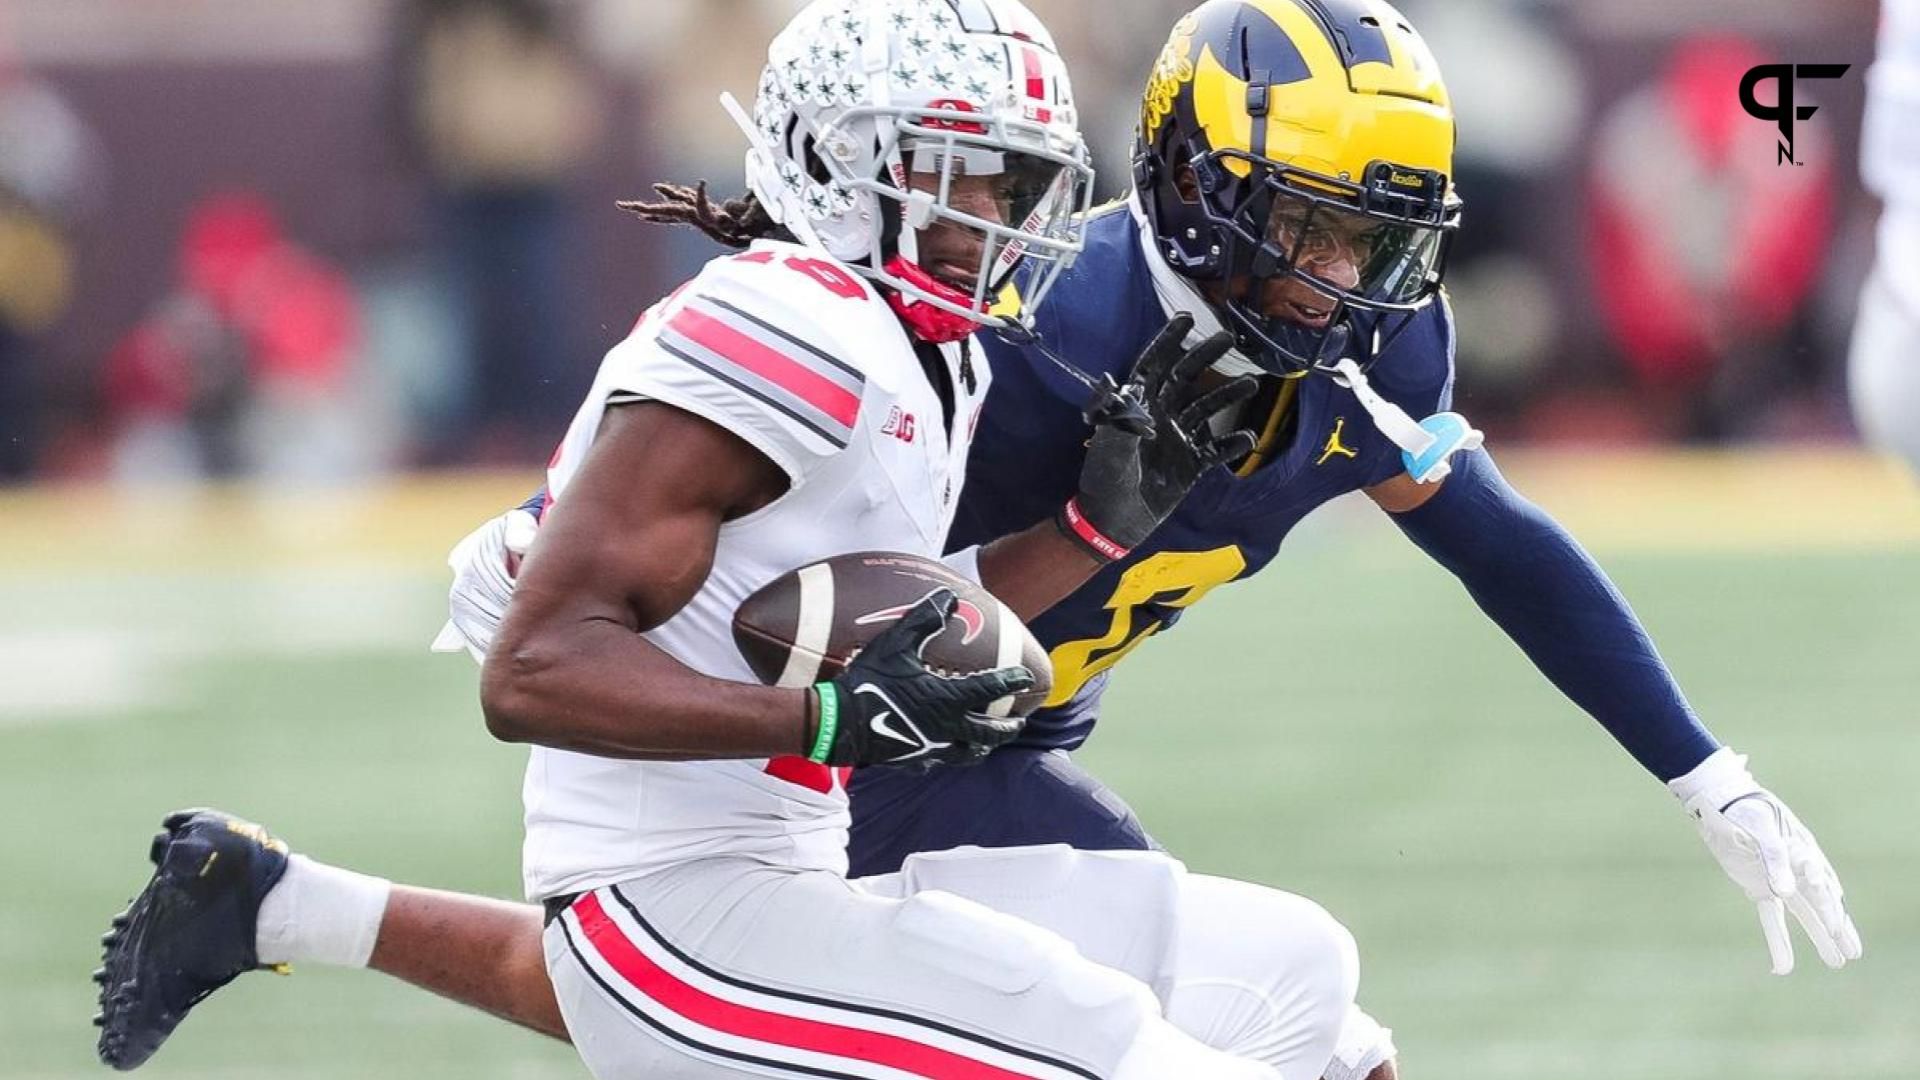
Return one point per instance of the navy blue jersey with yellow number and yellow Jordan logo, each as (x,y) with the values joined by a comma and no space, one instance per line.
(1032,439)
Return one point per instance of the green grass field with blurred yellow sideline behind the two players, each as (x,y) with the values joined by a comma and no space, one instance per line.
(1527,902)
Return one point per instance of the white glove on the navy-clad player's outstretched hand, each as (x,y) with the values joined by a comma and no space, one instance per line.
(1771,856)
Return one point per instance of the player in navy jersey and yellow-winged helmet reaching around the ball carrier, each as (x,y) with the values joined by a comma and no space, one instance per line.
(1293,189)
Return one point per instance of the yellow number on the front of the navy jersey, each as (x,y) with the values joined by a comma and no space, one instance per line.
(1170,579)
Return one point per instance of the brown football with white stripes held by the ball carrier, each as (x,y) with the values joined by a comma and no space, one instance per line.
(805,626)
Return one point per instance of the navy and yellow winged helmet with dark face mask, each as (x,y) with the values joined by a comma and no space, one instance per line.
(1305,141)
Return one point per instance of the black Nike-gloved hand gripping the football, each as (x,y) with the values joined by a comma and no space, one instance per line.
(888,708)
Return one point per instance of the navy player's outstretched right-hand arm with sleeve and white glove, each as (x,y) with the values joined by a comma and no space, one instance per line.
(1548,595)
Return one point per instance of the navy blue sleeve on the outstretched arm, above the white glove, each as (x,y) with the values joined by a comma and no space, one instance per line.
(1535,581)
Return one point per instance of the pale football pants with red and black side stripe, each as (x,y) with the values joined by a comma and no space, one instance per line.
(974,964)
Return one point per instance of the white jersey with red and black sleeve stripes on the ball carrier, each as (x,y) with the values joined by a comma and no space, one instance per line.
(804,360)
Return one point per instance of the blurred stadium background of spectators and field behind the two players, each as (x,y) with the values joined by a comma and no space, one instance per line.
(293,295)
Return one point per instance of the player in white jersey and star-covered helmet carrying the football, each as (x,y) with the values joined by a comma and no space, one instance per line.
(686,827)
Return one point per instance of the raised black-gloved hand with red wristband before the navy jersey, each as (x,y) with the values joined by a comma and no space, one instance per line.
(1130,481)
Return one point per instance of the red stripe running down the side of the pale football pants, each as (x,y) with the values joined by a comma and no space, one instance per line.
(669,991)
